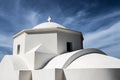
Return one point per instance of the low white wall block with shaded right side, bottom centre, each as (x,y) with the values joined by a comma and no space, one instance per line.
(47,74)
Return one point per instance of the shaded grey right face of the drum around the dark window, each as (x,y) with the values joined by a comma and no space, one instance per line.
(63,38)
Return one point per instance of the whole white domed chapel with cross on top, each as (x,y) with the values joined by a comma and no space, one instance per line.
(50,51)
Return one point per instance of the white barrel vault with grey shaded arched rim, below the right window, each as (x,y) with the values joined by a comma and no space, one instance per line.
(64,60)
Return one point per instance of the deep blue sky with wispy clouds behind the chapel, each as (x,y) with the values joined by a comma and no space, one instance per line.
(98,20)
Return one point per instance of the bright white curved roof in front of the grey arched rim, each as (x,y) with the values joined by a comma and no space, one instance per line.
(95,60)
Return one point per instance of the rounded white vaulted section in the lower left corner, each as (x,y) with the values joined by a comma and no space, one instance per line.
(10,67)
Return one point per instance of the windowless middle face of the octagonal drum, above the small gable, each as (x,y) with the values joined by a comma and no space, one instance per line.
(49,40)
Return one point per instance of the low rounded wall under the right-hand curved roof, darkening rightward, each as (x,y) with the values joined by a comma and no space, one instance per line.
(92,74)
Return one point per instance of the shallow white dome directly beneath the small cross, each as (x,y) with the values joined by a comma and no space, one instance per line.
(48,25)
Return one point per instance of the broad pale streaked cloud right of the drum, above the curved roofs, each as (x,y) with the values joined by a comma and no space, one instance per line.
(107,40)
